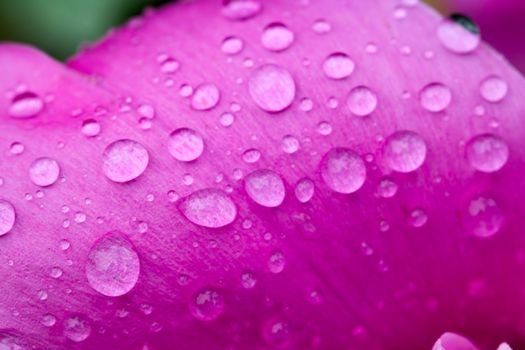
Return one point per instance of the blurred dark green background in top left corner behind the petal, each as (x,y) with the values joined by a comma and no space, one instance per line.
(59,27)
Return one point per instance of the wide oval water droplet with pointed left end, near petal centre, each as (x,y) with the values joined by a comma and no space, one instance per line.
(209,207)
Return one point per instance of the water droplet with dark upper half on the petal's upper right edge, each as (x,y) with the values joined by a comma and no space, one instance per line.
(459,34)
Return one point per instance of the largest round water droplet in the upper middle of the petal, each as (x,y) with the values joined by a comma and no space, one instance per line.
(272,88)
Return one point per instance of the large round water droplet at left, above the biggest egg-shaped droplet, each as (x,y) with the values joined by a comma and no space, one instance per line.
(124,160)
